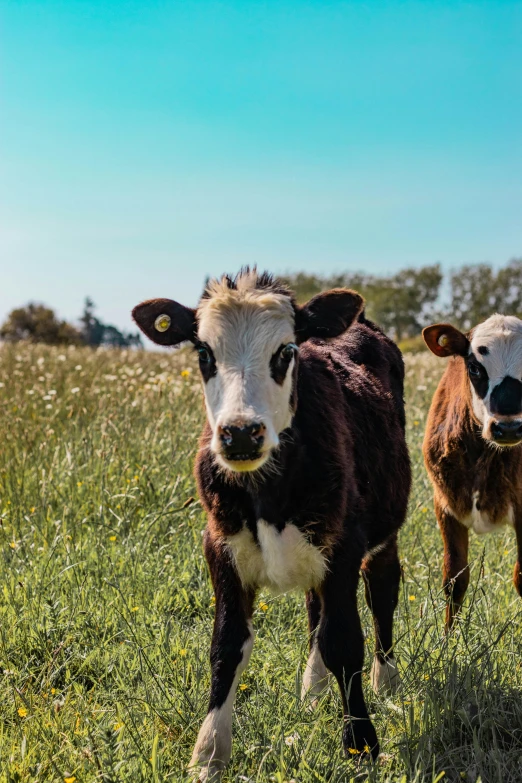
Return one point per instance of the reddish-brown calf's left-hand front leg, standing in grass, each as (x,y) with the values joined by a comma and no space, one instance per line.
(455,571)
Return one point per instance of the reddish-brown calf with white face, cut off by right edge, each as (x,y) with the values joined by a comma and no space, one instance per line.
(472,445)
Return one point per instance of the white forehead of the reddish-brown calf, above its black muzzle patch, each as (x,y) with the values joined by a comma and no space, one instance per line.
(501,335)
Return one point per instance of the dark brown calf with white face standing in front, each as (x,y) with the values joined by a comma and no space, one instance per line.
(304,473)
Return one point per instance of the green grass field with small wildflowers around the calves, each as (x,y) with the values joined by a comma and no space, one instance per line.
(106,606)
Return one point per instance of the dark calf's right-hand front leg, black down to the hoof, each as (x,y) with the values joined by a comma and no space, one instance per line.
(341,645)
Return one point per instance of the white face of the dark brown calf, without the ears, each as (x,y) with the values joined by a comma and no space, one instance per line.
(247,354)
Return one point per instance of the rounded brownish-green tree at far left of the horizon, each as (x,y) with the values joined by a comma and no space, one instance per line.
(38,324)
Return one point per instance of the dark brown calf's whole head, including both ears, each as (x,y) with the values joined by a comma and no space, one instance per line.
(247,331)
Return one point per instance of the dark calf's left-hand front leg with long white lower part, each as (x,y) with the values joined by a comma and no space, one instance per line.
(232,643)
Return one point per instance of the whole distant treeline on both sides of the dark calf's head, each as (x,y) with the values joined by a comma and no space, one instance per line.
(402,304)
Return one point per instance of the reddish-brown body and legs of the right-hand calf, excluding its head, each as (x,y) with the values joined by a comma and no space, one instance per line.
(477,484)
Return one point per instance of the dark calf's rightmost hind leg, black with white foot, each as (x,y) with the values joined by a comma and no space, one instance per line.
(382,574)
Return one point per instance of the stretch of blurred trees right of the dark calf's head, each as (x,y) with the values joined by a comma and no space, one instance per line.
(405,302)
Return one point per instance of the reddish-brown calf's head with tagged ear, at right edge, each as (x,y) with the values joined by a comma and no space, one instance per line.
(492,353)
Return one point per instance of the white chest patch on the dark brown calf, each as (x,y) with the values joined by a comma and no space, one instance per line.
(280,561)
